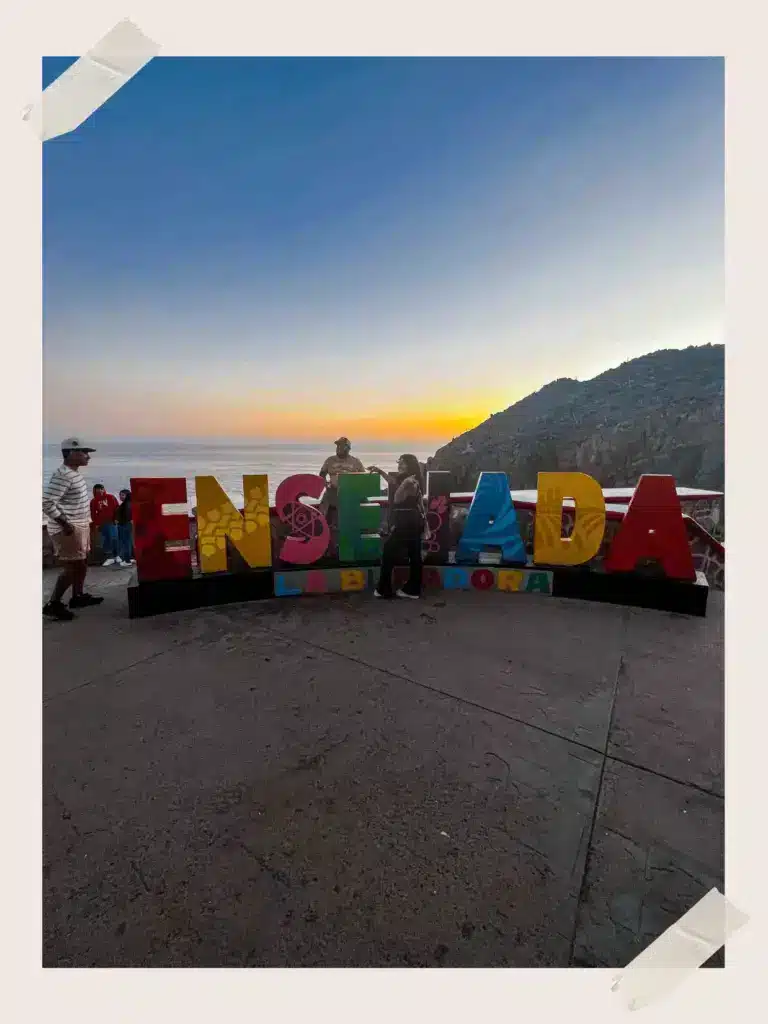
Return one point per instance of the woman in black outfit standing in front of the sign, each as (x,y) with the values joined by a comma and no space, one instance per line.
(406,523)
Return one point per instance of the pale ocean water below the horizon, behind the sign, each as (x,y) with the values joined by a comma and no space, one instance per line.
(116,462)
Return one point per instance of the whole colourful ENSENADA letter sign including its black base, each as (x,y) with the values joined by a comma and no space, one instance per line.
(293,550)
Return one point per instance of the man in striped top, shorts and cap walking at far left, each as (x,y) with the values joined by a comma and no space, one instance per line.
(67,507)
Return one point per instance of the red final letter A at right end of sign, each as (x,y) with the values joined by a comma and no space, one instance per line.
(653,529)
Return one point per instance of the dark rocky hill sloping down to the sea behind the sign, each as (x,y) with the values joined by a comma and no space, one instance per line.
(663,413)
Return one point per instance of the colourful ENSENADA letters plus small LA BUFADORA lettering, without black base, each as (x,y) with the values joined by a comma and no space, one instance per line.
(653,530)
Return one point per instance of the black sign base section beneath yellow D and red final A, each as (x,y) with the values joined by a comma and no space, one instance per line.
(634,590)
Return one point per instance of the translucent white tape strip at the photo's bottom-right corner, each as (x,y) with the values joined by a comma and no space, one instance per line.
(680,951)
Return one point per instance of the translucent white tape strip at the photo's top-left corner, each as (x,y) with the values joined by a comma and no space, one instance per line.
(92,81)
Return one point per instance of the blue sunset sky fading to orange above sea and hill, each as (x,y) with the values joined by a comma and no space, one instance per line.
(392,249)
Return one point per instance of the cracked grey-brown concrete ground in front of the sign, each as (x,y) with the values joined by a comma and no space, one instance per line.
(475,781)
